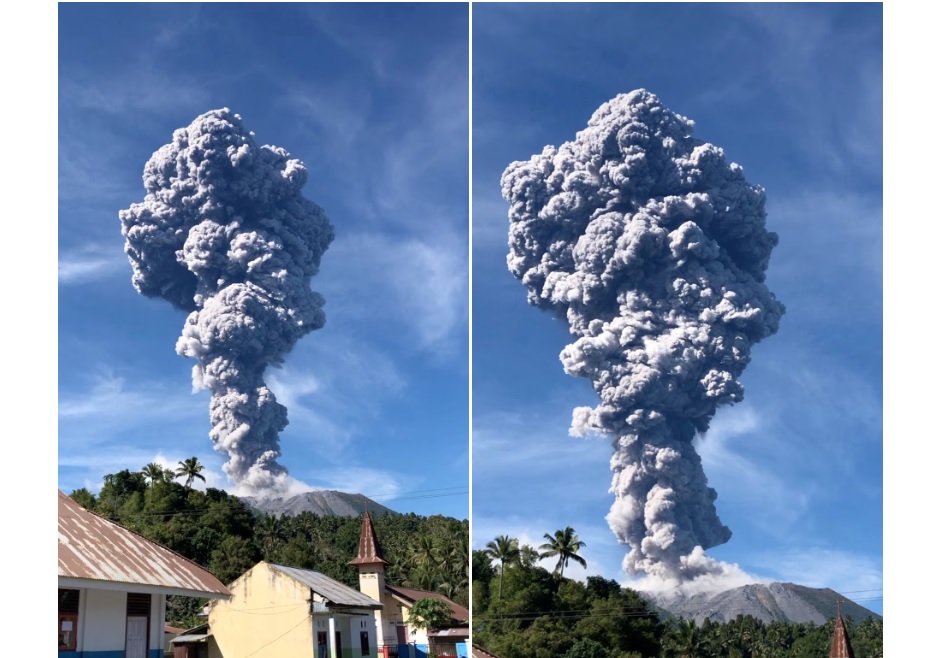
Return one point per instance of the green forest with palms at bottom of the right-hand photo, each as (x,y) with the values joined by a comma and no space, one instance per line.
(522,610)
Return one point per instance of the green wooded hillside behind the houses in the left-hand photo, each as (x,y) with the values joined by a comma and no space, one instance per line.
(222,534)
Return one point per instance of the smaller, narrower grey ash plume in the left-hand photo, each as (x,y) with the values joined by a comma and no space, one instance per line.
(224,233)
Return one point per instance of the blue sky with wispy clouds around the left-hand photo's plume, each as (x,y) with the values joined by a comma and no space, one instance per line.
(374,101)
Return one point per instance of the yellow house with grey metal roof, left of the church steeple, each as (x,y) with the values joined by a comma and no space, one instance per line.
(285,612)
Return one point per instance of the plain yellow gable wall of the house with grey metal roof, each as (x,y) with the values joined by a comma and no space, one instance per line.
(268,616)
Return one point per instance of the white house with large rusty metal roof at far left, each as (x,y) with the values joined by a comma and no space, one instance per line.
(113,585)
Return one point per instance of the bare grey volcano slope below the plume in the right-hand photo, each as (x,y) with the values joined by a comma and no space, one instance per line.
(774,601)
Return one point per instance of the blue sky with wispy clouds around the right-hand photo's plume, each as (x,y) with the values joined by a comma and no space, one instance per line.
(793,93)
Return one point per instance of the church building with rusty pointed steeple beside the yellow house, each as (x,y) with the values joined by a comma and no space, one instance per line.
(393,632)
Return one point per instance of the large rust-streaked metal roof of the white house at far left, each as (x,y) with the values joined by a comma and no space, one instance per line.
(95,549)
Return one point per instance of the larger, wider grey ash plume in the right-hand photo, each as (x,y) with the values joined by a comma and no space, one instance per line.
(654,248)
